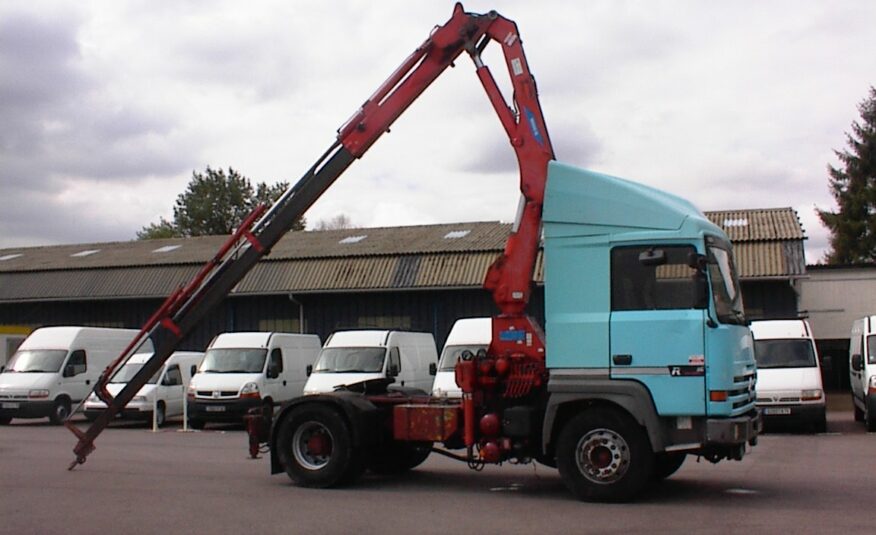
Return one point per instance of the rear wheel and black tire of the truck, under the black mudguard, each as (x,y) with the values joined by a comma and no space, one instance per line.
(315,448)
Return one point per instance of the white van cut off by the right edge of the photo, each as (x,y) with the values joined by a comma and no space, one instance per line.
(862,370)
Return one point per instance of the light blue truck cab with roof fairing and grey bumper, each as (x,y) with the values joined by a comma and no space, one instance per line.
(644,318)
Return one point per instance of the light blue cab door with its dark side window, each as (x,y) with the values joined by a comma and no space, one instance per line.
(656,325)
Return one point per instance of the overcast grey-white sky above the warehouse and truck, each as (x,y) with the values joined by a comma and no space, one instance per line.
(108,107)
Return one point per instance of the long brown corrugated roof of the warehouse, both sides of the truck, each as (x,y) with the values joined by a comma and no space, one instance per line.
(767,245)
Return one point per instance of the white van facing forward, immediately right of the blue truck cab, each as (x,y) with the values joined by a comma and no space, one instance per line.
(789,384)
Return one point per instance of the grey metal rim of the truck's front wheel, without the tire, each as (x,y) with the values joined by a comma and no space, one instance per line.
(602,456)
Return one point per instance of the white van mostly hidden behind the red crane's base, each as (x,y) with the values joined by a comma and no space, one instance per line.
(467,334)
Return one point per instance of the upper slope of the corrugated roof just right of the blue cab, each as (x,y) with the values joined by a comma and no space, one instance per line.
(759,224)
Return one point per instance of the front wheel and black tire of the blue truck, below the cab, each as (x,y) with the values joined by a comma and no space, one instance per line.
(604,455)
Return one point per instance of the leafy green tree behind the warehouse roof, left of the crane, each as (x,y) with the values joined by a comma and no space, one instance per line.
(215,203)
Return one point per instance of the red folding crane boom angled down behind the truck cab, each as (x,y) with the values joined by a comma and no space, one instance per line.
(509,278)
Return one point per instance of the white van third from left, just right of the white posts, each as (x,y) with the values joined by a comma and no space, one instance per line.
(245,370)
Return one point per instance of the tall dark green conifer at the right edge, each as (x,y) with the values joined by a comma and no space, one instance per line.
(853,185)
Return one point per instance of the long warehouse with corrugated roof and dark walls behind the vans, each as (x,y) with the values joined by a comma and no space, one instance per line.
(419,278)
